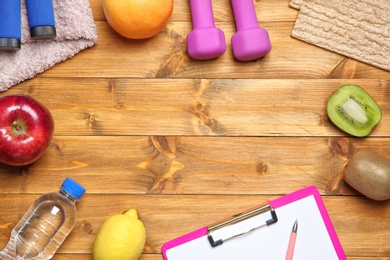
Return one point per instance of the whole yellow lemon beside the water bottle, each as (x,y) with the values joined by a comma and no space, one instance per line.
(121,237)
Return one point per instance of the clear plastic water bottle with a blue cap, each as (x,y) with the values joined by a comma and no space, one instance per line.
(45,225)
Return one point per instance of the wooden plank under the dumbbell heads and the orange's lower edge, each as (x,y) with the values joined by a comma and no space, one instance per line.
(165,56)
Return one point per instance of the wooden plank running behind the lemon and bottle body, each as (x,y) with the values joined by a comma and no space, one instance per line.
(359,222)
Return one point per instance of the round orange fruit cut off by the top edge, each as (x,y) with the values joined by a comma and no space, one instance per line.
(137,19)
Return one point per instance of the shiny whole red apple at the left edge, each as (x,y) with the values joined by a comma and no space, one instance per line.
(26,129)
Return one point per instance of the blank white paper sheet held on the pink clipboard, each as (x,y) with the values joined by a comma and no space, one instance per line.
(270,242)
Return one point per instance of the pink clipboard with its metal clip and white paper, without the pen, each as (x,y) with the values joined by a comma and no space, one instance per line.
(263,233)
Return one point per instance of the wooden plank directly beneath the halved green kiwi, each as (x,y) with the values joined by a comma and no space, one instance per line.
(223,107)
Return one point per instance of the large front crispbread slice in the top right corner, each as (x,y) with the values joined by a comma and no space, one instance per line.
(359,29)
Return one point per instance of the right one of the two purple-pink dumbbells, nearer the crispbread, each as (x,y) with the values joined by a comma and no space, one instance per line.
(250,41)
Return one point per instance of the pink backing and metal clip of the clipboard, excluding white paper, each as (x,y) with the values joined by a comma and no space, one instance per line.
(273,204)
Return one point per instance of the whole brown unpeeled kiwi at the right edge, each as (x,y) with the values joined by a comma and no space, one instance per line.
(369,173)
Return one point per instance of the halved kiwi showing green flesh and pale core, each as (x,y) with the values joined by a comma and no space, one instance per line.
(353,110)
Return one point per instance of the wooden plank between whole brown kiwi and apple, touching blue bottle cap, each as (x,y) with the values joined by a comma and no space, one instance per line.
(190,165)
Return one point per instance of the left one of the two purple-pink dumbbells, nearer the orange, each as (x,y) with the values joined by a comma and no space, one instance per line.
(205,41)
